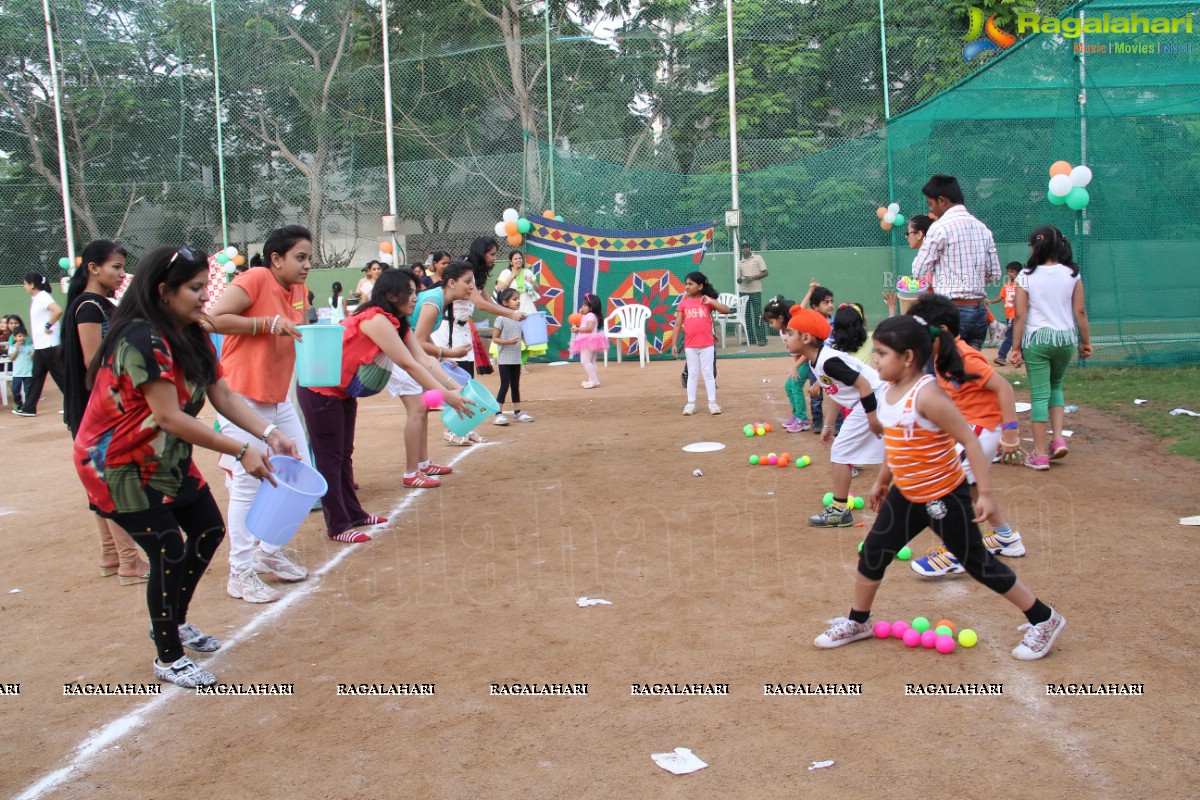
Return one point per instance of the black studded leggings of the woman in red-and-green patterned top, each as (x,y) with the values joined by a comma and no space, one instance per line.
(176,566)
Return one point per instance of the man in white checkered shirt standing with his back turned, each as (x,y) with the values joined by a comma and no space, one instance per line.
(959,257)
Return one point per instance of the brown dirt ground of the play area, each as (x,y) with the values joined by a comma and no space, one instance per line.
(713,580)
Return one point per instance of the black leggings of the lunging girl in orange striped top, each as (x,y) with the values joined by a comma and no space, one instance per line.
(901,521)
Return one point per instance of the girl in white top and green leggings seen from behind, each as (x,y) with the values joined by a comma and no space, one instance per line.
(1049,328)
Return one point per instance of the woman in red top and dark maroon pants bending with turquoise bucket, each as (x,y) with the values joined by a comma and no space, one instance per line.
(375,338)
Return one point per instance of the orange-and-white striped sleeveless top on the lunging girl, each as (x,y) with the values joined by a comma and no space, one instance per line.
(922,458)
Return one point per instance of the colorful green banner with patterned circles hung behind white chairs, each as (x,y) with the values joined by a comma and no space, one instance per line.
(641,267)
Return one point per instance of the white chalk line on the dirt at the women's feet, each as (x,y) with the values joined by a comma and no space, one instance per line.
(118,729)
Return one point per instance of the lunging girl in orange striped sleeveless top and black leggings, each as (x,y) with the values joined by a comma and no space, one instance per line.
(921,426)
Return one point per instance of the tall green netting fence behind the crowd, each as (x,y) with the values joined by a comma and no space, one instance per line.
(640,133)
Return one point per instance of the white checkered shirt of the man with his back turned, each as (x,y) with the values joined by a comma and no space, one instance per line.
(958,256)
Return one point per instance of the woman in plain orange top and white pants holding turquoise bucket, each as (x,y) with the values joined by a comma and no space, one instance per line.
(259,315)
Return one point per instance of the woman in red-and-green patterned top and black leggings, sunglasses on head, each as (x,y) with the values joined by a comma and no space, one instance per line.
(134,448)
